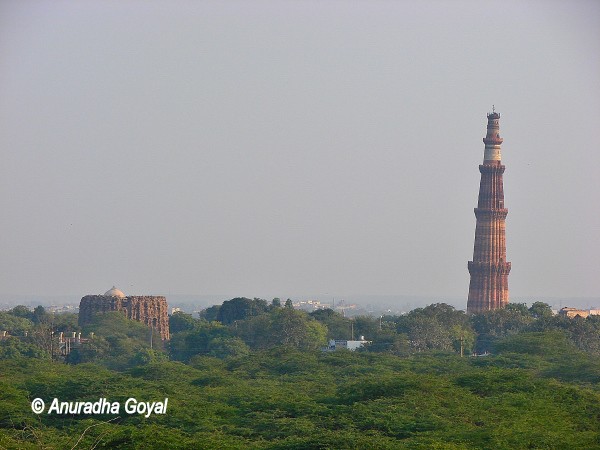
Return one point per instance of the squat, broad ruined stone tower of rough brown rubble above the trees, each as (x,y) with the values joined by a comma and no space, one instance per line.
(151,310)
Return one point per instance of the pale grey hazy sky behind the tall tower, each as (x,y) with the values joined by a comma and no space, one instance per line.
(302,147)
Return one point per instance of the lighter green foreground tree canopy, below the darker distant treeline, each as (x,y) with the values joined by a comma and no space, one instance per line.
(530,394)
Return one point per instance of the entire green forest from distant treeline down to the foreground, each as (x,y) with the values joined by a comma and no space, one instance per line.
(253,374)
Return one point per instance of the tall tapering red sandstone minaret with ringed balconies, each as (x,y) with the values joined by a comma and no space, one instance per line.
(489,269)
